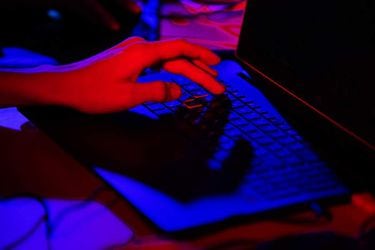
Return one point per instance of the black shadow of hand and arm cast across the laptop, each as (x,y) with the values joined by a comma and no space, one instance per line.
(172,154)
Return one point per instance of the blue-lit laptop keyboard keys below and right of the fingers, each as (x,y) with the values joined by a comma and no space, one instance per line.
(283,165)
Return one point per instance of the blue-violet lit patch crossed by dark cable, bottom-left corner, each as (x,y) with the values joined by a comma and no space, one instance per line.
(31,223)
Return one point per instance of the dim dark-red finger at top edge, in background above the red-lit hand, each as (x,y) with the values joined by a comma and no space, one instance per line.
(97,13)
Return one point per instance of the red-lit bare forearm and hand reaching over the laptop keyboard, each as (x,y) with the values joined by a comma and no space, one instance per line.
(107,82)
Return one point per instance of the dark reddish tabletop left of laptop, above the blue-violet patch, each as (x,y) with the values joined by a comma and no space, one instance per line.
(32,165)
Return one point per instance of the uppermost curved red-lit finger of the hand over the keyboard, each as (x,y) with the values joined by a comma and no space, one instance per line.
(156,52)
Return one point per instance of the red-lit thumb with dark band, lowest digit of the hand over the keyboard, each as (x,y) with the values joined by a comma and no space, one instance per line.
(157,91)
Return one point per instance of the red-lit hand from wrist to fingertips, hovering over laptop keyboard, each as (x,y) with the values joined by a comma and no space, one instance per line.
(107,82)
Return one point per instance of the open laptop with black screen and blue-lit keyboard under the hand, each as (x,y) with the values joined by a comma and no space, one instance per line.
(294,129)
